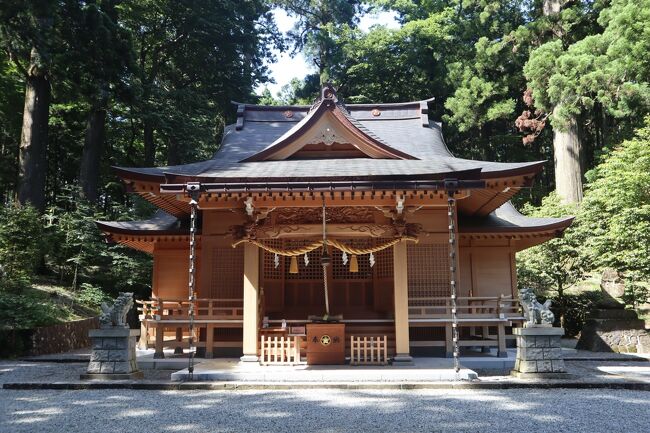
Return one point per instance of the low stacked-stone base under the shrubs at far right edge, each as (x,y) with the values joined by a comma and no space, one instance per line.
(614,330)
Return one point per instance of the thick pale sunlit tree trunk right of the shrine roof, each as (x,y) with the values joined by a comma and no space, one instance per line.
(568,154)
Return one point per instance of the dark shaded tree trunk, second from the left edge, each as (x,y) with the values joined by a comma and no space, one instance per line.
(92,153)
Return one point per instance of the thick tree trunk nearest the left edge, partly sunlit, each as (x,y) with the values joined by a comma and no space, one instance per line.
(32,164)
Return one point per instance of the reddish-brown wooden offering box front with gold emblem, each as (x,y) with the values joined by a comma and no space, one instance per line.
(325,343)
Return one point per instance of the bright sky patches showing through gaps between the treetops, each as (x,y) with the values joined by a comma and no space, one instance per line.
(286,67)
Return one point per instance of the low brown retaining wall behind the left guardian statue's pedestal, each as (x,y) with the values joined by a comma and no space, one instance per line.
(61,338)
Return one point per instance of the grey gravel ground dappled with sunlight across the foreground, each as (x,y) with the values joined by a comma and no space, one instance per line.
(557,410)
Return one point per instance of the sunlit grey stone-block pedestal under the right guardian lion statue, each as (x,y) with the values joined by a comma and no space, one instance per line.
(539,353)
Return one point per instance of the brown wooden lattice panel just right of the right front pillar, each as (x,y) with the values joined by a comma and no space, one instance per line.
(428,272)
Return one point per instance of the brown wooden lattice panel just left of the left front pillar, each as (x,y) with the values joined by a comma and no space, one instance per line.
(227,273)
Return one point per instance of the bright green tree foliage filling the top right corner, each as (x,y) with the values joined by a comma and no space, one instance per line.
(607,69)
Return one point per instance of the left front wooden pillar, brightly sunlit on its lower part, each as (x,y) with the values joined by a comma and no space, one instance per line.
(251,292)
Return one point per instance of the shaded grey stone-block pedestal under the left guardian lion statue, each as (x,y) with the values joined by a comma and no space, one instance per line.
(113,355)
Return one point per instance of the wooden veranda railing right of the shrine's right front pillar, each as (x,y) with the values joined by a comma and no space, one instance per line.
(474,307)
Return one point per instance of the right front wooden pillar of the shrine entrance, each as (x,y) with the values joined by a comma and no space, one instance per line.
(402,350)
